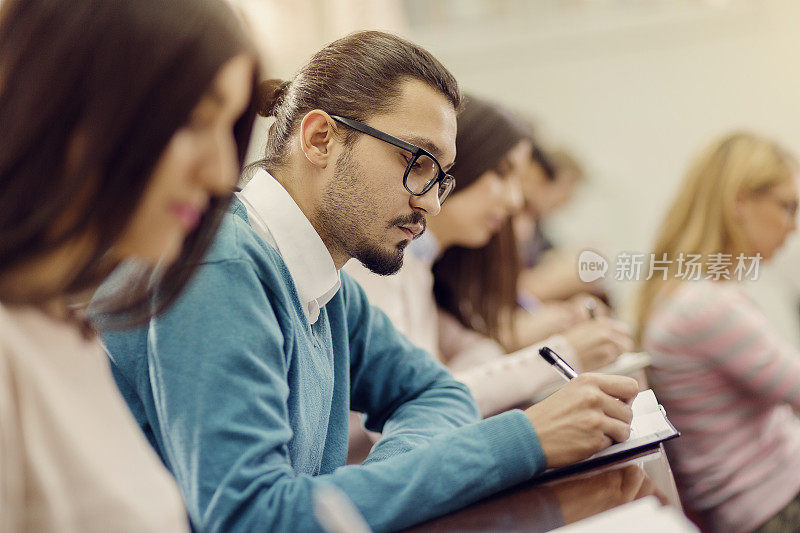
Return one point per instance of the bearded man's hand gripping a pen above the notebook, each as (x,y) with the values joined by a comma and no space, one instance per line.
(585,416)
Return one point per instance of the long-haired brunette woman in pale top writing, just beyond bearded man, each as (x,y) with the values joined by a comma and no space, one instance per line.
(462,311)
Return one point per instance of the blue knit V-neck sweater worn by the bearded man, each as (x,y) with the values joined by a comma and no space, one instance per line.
(247,404)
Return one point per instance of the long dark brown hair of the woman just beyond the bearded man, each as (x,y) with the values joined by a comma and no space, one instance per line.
(478,286)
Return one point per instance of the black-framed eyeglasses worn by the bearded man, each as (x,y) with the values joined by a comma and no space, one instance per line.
(423,171)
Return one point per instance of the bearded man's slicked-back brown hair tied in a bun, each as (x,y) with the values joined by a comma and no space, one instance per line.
(357,76)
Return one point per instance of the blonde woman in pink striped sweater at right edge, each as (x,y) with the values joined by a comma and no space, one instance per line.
(727,380)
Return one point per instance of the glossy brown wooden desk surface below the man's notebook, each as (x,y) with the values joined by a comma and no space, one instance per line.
(543,506)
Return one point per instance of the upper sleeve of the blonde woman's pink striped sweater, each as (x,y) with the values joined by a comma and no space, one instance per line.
(723,325)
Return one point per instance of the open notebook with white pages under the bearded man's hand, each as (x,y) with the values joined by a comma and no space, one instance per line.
(649,427)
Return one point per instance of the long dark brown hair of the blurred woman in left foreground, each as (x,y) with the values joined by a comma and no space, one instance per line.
(117,78)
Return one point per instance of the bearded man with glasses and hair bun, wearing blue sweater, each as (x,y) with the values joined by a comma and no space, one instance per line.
(245,385)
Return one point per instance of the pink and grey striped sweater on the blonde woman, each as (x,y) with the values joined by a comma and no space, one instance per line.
(729,383)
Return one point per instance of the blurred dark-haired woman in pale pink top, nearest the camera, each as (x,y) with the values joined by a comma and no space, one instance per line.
(125,126)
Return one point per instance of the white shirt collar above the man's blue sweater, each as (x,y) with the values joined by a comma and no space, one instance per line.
(276,218)
